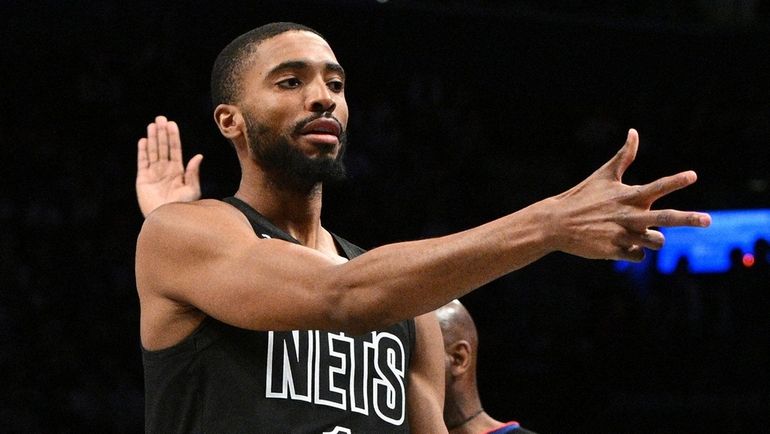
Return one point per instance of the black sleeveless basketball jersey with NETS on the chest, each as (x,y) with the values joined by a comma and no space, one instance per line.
(224,379)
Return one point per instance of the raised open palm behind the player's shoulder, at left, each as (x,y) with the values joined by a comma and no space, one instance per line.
(160,174)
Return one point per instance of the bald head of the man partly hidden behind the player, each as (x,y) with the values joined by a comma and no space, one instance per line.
(460,347)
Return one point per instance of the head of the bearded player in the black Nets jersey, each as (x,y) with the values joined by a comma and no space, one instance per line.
(279,96)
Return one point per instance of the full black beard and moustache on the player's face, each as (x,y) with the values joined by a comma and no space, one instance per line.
(286,162)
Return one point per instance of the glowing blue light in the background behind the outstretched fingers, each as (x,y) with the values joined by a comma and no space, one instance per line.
(709,250)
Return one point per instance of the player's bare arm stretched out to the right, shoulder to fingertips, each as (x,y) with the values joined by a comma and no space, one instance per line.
(206,255)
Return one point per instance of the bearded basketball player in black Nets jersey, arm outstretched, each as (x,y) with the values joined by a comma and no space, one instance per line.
(254,318)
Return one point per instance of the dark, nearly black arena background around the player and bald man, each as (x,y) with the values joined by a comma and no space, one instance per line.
(461,111)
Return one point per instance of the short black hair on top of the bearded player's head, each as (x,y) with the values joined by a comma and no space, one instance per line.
(225,75)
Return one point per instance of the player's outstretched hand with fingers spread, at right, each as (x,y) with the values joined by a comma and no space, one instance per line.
(602,218)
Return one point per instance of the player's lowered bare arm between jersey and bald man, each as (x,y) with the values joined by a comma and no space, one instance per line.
(426,378)
